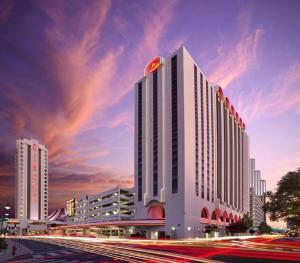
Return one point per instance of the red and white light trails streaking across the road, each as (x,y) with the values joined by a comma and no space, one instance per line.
(169,251)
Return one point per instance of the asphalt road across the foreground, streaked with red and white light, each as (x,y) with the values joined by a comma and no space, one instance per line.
(262,249)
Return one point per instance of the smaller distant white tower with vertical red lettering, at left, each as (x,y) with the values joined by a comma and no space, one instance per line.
(31,180)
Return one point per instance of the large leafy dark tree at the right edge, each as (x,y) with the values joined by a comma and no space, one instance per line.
(285,202)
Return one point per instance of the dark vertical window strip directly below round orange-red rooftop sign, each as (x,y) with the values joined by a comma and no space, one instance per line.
(155,135)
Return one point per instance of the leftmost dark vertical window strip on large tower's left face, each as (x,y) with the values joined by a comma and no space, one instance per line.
(140,139)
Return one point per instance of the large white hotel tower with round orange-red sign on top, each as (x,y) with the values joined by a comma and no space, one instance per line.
(191,150)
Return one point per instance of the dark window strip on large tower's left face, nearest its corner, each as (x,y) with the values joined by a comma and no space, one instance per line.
(174,125)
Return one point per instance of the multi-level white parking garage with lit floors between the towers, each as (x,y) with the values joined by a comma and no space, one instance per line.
(113,205)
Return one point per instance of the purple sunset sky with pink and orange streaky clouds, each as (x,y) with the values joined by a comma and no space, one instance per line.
(67,70)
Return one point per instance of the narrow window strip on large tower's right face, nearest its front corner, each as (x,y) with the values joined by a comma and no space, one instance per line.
(196,133)
